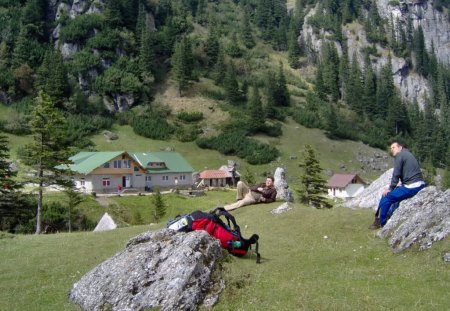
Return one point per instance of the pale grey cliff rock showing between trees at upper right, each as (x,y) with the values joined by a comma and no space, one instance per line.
(436,30)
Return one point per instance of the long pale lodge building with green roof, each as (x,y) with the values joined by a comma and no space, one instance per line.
(112,171)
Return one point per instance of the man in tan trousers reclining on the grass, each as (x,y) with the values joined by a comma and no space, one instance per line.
(261,193)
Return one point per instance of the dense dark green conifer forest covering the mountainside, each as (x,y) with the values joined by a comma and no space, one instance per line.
(103,65)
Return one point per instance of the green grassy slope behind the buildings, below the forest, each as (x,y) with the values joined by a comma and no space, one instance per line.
(331,153)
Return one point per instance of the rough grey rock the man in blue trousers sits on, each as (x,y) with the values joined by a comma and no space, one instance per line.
(422,219)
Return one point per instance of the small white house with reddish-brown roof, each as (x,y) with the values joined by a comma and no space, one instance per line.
(345,186)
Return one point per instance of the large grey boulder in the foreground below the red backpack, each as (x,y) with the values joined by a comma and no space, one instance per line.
(163,269)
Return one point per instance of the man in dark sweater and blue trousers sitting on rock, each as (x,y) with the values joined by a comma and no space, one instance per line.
(407,171)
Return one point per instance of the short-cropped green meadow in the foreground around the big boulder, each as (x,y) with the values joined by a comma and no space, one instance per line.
(311,260)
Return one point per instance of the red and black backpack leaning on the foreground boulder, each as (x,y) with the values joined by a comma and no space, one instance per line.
(229,234)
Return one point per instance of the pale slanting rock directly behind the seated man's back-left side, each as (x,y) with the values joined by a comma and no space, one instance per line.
(371,195)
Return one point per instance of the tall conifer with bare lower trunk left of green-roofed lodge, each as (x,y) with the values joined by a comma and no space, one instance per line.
(48,151)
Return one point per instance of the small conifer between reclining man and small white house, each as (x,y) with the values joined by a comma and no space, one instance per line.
(313,184)
